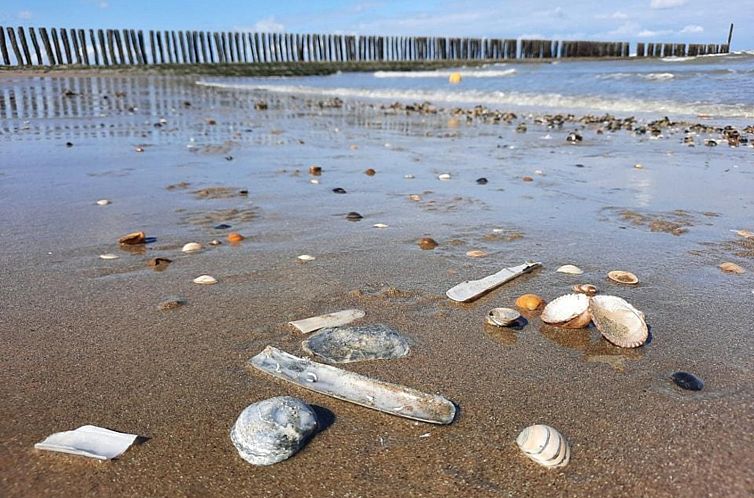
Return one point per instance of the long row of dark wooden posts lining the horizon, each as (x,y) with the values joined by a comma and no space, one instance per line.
(111,47)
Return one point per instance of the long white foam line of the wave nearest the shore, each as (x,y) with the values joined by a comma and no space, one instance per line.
(548,101)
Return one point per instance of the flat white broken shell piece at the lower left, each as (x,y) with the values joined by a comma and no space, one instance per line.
(89,441)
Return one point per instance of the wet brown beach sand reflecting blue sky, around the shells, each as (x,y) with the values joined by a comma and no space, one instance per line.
(85,343)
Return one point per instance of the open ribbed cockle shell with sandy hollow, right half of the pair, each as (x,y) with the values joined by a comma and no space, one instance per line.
(618,321)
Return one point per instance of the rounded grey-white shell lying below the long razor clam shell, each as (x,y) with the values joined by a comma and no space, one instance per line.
(273,430)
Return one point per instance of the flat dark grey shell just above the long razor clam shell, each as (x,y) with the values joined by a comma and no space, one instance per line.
(349,344)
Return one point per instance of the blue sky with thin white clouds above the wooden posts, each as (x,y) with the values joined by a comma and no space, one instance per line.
(697,21)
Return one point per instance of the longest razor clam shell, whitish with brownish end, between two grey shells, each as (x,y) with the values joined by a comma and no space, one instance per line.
(359,389)
